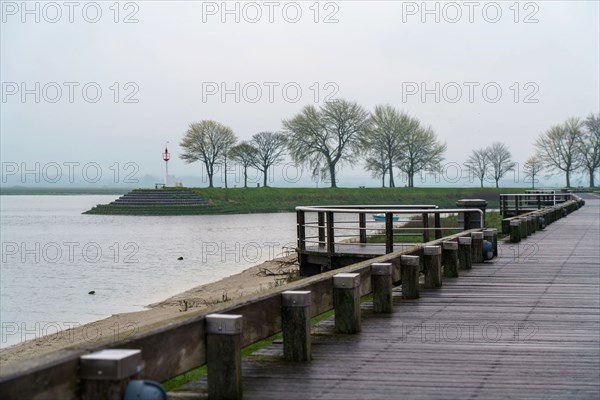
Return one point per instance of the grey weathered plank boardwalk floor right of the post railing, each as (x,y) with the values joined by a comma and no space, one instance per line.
(526,325)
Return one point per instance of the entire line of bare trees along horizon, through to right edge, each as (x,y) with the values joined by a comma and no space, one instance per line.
(337,133)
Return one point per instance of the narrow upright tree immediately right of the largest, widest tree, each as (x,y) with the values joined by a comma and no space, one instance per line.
(382,142)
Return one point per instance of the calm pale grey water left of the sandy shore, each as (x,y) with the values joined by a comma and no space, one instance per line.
(53,256)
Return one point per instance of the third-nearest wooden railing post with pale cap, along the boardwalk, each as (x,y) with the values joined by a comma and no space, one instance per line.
(295,324)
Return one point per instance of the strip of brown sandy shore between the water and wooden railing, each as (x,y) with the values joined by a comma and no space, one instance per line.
(183,305)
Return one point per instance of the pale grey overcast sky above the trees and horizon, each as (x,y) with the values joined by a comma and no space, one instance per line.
(477,72)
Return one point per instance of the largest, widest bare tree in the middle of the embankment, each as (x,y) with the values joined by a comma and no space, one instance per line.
(326,137)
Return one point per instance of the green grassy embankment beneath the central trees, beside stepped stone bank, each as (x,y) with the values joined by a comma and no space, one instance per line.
(270,200)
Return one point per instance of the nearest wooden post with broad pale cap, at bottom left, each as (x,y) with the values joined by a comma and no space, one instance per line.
(105,374)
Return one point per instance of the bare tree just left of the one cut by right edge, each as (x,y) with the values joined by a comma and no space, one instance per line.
(558,147)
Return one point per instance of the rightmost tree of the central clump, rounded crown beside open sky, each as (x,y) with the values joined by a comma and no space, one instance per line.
(419,148)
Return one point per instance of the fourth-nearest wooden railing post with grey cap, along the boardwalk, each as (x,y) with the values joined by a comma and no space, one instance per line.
(346,301)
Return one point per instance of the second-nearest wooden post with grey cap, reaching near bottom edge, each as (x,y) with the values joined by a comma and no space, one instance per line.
(223,356)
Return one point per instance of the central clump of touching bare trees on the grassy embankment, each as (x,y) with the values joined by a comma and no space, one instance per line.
(323,139)
